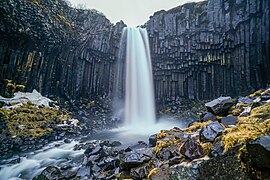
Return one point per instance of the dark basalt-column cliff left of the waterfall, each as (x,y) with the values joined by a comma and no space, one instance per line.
(57,49)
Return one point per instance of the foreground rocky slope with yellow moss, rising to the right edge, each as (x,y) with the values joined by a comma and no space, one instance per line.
(231,141)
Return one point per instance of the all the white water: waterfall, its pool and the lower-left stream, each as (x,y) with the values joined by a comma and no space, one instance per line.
(139,112)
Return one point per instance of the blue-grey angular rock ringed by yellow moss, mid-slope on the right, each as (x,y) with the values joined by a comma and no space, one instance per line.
(210,132)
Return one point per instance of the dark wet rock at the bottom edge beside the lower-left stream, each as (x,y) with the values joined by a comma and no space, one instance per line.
(49,173)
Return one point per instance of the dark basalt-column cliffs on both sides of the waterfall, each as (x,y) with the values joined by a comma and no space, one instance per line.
(199,50)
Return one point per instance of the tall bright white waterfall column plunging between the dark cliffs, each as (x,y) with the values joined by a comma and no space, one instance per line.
(139,96)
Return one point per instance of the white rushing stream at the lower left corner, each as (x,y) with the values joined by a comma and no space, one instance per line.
(27,166)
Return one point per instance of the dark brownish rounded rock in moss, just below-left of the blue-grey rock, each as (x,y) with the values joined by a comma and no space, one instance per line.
(191,149)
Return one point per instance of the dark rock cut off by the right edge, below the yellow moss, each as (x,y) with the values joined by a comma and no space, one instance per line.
(259,151)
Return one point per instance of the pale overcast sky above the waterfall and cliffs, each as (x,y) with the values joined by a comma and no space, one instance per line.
(132,12)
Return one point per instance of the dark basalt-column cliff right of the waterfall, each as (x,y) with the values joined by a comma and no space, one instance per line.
(211,48)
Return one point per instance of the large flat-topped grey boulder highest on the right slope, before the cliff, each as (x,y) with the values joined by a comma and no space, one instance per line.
(220,105)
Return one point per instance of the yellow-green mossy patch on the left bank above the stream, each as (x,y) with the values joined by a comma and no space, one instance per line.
(30,121)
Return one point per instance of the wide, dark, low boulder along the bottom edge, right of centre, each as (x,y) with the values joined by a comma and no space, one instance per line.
(226,166)
